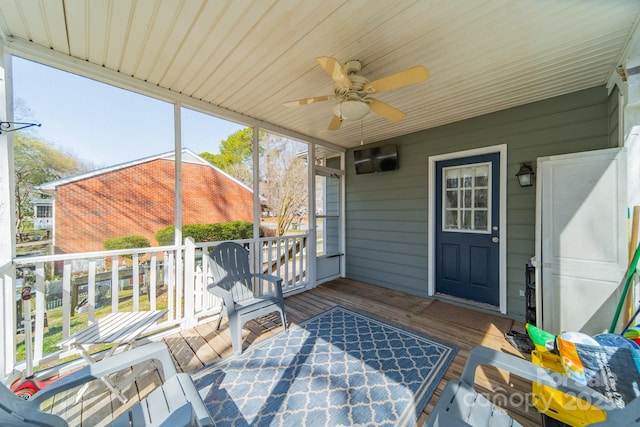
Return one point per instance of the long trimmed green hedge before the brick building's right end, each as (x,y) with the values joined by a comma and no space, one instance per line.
(235,230)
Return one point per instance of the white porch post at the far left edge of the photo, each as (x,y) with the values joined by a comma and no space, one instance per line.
(7,222)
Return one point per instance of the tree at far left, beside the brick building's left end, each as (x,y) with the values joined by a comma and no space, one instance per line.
(37,162)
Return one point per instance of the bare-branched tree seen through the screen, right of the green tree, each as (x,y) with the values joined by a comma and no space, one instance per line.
(284,183)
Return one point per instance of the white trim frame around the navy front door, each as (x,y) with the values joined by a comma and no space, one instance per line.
(502,150)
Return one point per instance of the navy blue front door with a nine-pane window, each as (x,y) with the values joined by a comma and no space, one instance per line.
(467,257)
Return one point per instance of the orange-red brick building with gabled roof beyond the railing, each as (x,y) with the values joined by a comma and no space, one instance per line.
(138,198)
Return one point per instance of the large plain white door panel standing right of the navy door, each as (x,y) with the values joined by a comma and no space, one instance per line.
(581,246)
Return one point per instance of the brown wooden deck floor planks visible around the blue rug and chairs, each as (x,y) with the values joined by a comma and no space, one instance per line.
(461,327)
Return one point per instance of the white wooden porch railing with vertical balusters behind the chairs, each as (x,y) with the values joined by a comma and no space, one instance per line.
(166,277)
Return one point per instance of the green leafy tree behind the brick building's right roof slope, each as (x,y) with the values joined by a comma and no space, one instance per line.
(235,156)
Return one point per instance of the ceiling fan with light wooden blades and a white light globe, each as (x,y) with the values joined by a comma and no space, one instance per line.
(354,91)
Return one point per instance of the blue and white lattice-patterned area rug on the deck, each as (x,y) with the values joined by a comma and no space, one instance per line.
(339,368)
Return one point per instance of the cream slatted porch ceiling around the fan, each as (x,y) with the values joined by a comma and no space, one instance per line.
(251,56)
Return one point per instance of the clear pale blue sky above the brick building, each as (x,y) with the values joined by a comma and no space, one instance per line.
(105,125)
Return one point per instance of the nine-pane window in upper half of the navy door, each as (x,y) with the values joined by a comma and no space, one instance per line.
(466,208)
